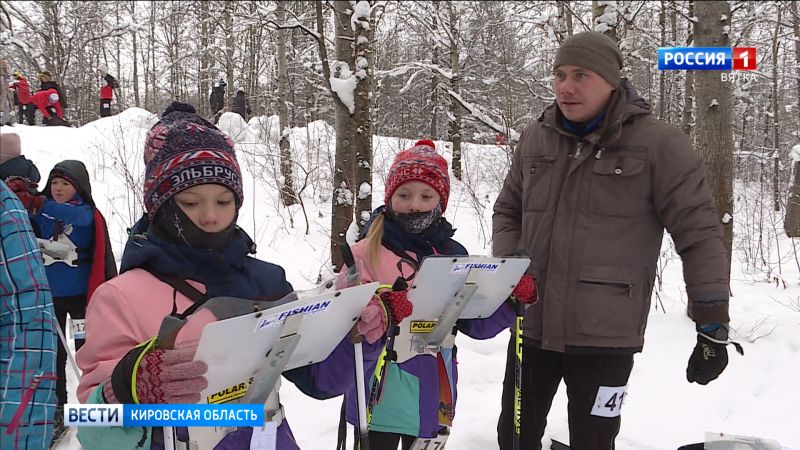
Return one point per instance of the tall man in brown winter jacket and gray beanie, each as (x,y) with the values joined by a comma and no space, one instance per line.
(592,186)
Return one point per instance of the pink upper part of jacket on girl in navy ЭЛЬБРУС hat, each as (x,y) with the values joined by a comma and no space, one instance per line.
(117,321)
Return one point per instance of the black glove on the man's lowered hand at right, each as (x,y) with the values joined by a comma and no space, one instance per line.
(710,355)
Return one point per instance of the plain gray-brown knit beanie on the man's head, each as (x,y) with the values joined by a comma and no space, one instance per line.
(594,51)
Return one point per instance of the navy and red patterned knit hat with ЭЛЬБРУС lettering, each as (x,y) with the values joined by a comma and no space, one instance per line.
(184,150)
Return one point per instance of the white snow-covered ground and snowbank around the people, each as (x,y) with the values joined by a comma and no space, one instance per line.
(758,395)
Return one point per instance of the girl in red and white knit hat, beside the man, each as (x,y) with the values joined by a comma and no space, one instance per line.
(418,395)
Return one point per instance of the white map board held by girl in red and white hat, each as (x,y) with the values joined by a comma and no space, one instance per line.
(441,277)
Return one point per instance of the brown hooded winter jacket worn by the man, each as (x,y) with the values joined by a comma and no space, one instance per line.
(591,213)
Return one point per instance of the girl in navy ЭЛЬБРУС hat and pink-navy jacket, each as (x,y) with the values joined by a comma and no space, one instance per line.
(188,245)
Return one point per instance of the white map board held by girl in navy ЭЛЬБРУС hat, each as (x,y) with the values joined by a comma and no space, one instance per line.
(235,348)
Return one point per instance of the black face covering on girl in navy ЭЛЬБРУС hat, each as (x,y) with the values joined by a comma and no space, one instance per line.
(172,224)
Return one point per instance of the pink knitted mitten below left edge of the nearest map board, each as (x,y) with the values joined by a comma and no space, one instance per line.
(170,376)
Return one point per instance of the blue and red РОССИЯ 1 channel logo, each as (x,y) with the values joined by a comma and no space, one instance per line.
(707,58)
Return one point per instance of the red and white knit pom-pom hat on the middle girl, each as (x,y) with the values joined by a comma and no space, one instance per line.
(419,163)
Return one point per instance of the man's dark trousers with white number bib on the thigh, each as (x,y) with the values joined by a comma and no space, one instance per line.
(583,374)
